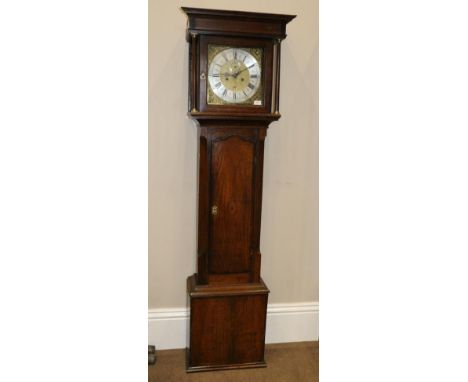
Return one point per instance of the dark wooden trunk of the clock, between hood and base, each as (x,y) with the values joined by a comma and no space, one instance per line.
(230,180)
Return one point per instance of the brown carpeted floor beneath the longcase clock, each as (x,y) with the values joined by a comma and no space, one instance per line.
(291,362)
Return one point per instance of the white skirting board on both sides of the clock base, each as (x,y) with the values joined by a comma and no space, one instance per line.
(296,322)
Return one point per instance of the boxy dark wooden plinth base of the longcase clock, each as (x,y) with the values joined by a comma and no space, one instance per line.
(227,326)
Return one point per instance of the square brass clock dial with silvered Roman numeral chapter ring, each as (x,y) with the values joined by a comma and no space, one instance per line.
(235,76)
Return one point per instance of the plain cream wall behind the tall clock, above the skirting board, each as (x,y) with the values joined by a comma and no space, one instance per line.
(289,241)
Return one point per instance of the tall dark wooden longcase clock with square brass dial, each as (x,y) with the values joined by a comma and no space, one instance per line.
(234,82)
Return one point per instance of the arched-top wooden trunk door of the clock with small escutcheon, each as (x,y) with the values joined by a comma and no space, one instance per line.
(232,195)
